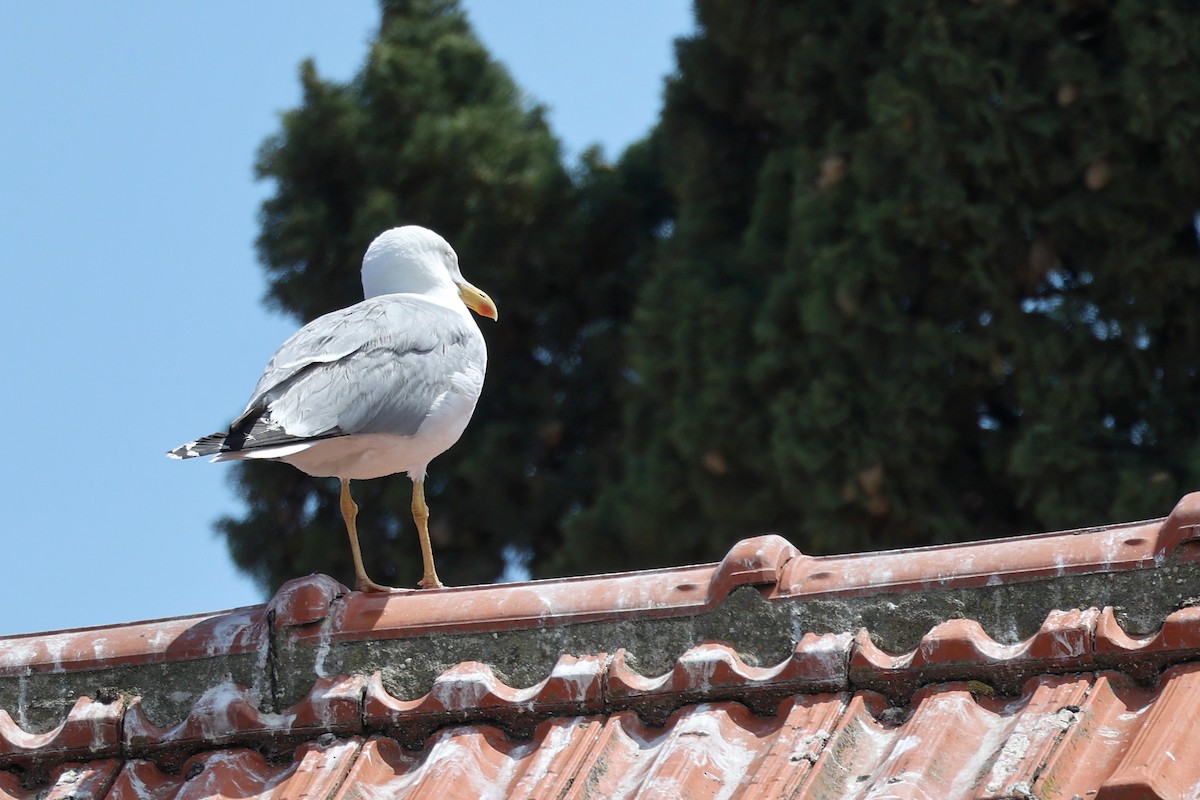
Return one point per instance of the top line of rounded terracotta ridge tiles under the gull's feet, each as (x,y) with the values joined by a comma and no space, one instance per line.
(317,611)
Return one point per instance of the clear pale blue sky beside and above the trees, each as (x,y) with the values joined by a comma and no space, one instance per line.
(130,292)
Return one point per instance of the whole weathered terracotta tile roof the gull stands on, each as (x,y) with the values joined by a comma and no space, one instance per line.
(1053,666)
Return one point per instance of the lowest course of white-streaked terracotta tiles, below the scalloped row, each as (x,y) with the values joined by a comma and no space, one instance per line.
(1076,735)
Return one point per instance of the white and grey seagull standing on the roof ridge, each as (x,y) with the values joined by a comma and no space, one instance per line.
(376,389)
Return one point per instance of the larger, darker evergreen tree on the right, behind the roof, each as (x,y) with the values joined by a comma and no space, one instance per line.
(931,279)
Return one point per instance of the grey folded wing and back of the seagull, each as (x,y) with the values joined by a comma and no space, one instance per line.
(376,368)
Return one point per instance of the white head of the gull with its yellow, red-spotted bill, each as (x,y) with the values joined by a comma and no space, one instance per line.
(417,261)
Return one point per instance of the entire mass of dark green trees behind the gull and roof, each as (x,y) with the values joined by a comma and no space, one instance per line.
(884,275)
